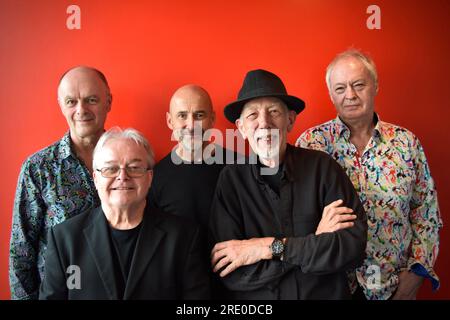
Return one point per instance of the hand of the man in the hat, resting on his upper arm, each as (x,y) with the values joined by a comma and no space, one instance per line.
(335,218)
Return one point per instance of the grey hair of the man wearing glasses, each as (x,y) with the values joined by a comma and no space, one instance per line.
(129,133)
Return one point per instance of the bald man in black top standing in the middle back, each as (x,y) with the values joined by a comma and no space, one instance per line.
(184,181)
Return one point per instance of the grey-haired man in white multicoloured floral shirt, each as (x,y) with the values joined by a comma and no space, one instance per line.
(388,168)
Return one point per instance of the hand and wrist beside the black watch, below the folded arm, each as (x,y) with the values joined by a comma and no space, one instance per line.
(236,253)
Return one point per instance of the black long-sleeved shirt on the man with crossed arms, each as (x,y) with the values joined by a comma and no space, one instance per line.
(313,267)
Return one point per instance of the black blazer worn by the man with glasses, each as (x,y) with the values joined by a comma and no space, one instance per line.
(167,262)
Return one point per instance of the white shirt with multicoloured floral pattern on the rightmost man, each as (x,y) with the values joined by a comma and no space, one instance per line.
(394,184)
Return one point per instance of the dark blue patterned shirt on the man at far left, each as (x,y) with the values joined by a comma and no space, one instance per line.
(53,186)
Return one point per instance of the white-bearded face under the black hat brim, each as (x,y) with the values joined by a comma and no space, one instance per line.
(265,122)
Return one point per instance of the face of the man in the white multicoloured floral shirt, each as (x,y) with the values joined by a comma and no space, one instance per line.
(352,90)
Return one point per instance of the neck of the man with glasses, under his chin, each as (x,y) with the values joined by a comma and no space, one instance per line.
(124,218)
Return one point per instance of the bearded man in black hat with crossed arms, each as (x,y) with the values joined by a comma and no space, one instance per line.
(298,220)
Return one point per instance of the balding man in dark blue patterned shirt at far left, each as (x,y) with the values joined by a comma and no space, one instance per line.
(56,182)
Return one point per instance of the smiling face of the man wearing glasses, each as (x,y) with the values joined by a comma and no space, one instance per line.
(123,191)
